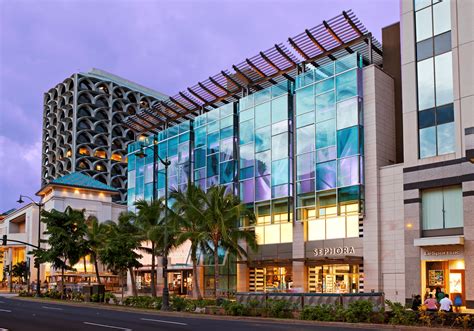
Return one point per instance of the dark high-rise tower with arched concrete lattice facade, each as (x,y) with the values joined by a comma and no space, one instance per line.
(83,127)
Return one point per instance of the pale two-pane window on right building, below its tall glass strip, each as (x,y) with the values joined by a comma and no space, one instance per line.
(442,208)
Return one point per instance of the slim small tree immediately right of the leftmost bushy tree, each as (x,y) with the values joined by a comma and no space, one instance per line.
(95,235)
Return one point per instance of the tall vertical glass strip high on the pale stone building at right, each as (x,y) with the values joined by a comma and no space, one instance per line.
(434,77)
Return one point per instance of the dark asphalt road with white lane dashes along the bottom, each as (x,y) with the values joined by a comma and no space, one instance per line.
(21,315)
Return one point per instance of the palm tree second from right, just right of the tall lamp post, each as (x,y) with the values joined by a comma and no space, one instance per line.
(188,213)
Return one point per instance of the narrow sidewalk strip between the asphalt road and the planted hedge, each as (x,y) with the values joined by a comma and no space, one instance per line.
(226,317)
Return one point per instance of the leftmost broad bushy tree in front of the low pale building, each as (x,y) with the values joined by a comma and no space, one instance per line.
(65,232)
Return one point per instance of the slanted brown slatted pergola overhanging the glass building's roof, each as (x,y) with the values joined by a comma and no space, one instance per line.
(328,41)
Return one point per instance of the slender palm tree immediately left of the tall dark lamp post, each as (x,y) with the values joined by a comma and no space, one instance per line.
(149,221)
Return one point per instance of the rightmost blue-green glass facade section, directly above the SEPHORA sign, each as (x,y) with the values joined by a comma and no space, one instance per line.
(329,149)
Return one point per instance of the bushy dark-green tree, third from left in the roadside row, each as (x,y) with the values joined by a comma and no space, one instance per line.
(119,251)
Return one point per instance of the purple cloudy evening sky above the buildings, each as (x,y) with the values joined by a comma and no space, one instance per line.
(164,45)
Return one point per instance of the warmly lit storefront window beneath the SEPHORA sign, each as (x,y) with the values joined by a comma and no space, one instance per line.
(334,278)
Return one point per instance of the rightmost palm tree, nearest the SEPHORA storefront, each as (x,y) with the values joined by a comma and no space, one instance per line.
(223,214)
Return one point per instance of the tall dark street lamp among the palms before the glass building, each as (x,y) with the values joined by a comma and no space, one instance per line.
(166,163)
